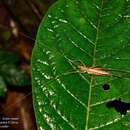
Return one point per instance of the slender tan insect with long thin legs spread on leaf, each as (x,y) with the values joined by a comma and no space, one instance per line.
(93,70)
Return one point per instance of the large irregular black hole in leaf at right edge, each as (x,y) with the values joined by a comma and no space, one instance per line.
(120,106)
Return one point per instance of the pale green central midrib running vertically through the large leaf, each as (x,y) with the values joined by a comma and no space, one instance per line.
(94,63)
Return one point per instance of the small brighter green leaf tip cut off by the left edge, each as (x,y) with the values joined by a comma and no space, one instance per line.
(3,88)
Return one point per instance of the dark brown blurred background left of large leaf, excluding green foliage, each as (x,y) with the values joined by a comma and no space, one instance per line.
(19,21)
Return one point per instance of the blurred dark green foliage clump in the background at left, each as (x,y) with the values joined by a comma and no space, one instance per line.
(10,72)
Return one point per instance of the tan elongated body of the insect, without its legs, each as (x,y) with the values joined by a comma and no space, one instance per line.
(94,71)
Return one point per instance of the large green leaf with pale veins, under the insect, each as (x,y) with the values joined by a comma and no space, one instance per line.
(96,32)
